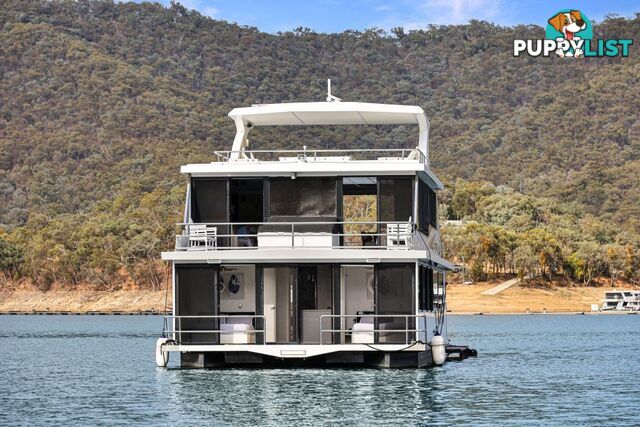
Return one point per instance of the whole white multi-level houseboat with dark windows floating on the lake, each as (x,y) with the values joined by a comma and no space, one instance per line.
(271,268)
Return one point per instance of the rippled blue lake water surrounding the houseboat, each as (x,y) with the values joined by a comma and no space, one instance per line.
(530,370)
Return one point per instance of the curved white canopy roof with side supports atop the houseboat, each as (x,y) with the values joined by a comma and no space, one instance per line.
(326,113)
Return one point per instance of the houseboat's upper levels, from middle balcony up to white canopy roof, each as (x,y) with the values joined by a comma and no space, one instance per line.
(274,201)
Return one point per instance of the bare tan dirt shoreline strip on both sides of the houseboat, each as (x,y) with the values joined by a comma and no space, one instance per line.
(461,299)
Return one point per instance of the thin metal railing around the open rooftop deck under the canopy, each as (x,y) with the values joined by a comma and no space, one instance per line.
(313,155)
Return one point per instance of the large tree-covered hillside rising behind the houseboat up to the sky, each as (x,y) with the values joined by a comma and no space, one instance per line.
(100,102)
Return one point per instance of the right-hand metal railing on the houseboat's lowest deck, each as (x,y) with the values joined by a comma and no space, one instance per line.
(376,332)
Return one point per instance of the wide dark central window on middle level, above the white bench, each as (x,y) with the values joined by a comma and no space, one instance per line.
(308,197)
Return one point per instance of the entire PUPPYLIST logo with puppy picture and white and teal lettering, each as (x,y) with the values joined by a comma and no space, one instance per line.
(569,34)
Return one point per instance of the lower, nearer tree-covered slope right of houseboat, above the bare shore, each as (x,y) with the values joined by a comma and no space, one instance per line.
(508,232)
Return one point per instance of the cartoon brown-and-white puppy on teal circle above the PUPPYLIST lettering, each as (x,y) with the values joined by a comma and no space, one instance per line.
(570,29)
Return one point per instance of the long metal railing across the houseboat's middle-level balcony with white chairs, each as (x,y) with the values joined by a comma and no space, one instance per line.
(342,234)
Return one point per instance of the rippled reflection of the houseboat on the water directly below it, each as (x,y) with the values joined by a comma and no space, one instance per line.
(298,397)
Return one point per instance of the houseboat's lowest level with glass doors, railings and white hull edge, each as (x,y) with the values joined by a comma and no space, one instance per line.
(320,313)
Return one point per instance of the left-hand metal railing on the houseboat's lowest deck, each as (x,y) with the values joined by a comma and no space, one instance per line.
(172,326)
